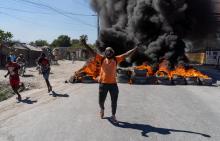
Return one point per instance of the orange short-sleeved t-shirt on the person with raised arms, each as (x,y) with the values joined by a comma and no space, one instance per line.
(108,68)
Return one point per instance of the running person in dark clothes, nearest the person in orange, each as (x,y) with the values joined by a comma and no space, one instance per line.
(45,69)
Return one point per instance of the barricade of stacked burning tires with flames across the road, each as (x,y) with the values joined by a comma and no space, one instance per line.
(144,74)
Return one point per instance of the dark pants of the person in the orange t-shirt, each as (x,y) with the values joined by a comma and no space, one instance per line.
(113,90)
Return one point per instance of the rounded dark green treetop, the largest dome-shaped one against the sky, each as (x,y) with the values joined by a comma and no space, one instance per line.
(62,41)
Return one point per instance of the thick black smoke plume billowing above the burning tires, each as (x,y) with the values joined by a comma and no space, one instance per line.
(160,26)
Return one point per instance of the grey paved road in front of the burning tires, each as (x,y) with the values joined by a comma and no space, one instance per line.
(146,112)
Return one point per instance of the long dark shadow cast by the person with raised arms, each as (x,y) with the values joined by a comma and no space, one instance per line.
(145,129)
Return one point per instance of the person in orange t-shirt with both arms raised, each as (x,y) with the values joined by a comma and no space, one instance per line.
(107,80)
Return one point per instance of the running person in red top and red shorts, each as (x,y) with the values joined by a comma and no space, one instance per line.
(15,83)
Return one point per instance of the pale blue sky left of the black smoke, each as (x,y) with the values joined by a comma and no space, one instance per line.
(30,20)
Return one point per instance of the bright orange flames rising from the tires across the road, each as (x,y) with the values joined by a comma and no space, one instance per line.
(92,68)
